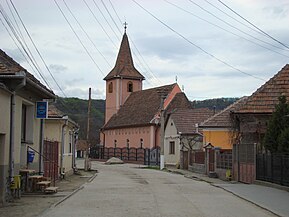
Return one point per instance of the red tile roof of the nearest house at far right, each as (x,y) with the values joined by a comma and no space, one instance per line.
(266,97)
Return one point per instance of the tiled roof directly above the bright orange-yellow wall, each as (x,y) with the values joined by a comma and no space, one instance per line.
(223,118)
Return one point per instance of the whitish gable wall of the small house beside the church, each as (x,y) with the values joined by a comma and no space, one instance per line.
(171,135)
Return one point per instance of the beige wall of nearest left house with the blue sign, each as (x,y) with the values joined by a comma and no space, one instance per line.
(20,147)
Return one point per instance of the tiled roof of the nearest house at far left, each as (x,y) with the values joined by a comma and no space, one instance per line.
(9,66)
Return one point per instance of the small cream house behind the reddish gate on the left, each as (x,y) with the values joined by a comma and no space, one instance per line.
(63,131)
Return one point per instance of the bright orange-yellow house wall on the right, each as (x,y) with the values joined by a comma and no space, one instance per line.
(218,138)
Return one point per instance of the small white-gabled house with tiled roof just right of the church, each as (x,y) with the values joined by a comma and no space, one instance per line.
(182,135)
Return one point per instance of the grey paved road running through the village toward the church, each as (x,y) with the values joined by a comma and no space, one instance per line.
(129,191)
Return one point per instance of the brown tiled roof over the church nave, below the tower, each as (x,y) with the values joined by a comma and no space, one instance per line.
(141,107)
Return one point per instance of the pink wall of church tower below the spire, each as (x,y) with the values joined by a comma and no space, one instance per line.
(119,95)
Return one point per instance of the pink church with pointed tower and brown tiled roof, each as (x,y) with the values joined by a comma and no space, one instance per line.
(132,115)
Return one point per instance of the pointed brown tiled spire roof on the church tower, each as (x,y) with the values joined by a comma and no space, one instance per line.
(124,66)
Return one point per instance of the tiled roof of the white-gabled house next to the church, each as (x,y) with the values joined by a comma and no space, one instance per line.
(186,119)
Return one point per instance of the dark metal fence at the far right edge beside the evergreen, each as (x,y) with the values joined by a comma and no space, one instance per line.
(273,168)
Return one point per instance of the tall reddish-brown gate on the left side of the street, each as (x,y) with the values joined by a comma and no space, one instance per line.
(50,160)
